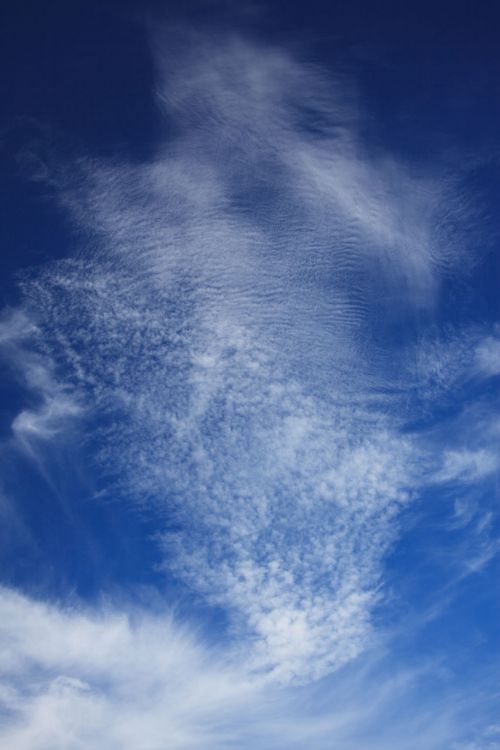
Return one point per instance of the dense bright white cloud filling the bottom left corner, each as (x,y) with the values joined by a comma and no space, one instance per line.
(75,679)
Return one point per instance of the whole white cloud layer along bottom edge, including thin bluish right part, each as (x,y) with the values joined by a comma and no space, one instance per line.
(119,678)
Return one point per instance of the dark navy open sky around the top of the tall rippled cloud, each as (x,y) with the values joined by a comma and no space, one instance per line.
(81,76)
